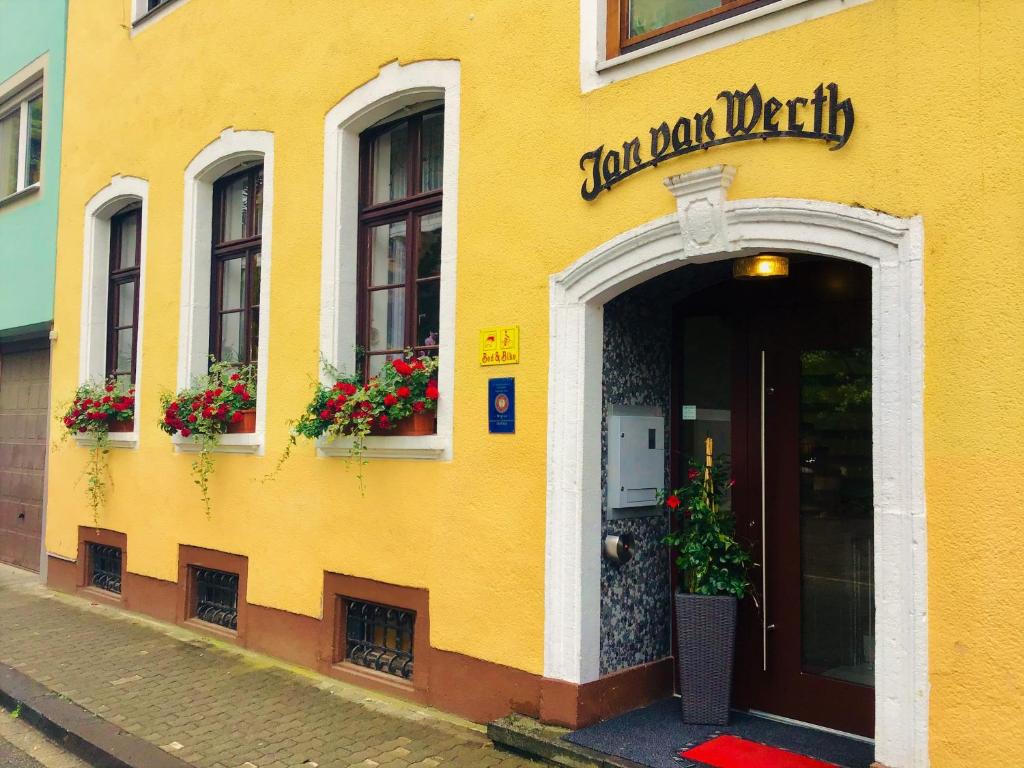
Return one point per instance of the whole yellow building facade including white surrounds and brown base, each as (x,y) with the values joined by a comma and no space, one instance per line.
(498,537)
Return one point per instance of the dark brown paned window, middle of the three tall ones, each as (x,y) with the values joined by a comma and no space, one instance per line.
(235,267)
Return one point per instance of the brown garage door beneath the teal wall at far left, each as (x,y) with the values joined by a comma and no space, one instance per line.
(24,393)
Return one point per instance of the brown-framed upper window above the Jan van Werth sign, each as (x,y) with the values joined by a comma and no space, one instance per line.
(634,24)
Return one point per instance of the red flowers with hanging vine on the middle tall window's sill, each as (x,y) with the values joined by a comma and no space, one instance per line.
(222,402)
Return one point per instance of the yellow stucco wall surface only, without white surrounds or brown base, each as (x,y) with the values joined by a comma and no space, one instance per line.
(940,127)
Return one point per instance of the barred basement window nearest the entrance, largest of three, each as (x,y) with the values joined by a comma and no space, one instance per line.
(379,637)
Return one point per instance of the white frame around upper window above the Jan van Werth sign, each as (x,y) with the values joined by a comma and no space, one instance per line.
(596,70)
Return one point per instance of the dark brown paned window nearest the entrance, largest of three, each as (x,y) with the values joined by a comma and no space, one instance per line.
(401,166)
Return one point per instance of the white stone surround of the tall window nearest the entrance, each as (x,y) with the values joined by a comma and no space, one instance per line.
(395,88)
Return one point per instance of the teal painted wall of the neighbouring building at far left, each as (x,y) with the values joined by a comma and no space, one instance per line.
(30,29)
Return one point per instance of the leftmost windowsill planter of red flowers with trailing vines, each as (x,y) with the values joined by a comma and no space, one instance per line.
(97,411)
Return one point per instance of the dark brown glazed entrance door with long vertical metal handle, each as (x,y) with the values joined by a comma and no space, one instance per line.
(799,414)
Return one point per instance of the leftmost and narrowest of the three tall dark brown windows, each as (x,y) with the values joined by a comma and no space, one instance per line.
(122,295)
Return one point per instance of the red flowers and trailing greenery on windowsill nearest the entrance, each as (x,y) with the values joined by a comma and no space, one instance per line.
(401,400)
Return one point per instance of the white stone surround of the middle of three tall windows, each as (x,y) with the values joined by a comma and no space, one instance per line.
(226,154)
